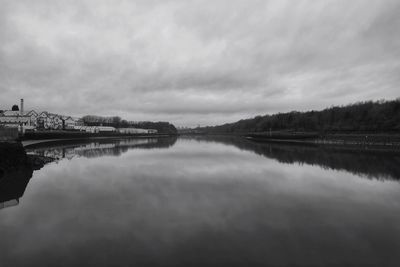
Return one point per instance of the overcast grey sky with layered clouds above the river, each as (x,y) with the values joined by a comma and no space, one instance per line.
(197,62)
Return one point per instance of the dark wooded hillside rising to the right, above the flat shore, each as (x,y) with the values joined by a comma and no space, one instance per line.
(371,116)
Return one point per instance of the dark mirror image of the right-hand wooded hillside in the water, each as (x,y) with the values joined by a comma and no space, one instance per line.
(377,164)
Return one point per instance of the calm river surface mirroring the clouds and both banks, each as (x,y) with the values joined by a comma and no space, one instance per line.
(203,202)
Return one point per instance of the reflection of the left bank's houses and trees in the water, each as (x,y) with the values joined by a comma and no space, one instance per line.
(93,149)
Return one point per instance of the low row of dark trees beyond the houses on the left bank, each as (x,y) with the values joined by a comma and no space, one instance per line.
(117,122)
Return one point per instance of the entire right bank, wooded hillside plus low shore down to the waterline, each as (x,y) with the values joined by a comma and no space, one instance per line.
(360,124)
